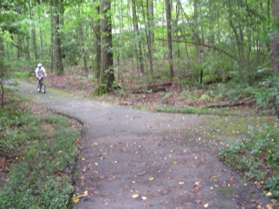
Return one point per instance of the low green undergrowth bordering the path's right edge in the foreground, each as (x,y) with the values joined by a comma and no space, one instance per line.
(257,158)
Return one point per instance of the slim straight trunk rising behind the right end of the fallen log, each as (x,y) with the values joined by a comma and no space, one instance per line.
(169,34)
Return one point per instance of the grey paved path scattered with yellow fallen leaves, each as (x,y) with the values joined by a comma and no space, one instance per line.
(133,160)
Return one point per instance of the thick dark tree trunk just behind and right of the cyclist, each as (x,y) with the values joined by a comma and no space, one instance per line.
(58,52)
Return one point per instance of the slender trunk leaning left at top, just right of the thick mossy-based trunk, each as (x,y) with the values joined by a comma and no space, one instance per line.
(139,53)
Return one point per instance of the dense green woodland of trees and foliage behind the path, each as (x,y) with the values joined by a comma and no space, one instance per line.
(191,42)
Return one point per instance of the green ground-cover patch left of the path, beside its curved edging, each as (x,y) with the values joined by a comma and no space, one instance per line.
(42,149)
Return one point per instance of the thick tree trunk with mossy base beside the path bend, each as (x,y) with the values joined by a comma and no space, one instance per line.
(107,71)
